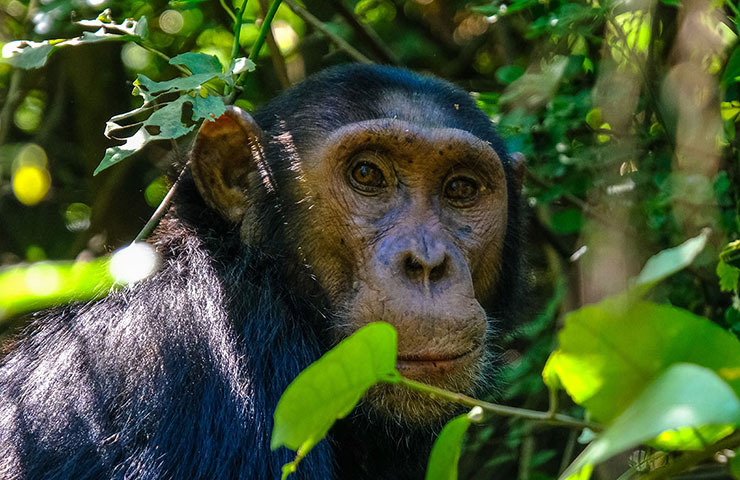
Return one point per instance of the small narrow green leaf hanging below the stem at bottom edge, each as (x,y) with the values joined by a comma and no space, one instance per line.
(446,450)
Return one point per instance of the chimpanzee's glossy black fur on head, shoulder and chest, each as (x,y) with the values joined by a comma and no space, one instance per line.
(177,377)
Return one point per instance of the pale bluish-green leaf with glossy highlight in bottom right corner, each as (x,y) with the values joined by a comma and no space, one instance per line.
(684,396)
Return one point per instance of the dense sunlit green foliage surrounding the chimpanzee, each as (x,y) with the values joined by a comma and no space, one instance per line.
(625,110)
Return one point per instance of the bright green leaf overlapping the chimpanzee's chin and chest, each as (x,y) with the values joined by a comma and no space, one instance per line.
(331,387)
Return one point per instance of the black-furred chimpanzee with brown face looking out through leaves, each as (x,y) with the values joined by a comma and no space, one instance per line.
(365,193)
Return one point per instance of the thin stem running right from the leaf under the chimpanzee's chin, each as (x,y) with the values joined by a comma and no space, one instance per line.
(537,416)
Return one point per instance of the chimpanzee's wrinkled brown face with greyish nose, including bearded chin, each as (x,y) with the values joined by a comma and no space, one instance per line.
(410,223)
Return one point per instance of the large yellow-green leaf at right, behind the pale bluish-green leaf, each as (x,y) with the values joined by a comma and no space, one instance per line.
(610,351)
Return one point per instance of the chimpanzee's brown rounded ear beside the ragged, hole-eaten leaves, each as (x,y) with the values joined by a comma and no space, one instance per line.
(225,151)
